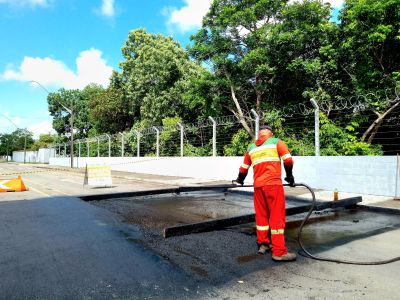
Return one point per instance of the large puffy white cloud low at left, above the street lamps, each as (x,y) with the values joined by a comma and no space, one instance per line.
(91,68)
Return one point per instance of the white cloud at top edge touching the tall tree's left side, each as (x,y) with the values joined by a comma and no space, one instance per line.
(190,16)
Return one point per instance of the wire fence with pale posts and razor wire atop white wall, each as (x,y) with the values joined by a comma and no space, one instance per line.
(308,129)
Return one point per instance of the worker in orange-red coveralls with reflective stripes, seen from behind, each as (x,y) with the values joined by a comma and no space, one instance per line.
(265,155)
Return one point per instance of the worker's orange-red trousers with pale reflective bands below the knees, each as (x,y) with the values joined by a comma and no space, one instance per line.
(269,204)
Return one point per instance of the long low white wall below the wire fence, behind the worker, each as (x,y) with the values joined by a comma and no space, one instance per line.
(375,175)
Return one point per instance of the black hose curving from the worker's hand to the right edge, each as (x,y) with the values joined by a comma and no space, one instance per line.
(308,254)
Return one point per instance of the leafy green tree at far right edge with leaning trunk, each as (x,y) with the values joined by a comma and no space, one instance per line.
(371,42)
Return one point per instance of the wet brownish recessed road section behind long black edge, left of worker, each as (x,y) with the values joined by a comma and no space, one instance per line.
(166,210)
